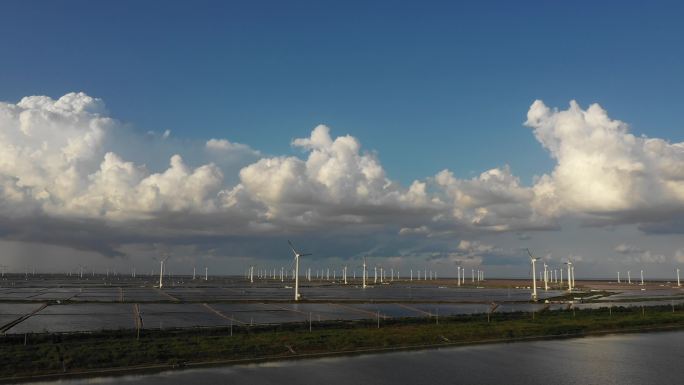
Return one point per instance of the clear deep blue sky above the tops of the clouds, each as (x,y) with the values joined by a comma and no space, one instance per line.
(427,85)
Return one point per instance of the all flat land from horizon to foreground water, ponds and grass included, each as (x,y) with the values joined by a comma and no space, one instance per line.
(52,325)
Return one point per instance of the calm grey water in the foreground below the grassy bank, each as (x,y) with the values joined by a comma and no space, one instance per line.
(655,358)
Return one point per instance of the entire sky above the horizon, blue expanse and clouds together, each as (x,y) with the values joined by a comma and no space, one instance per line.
(417,133)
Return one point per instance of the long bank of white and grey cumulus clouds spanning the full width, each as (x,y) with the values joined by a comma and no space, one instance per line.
(67,165)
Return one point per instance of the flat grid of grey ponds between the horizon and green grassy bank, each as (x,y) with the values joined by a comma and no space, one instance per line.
(59,304)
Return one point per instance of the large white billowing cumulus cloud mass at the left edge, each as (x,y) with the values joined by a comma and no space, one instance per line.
(56,158)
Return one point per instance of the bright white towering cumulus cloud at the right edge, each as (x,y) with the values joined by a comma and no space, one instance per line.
(602,169)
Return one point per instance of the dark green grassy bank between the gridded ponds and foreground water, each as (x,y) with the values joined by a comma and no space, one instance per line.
(68,354)
